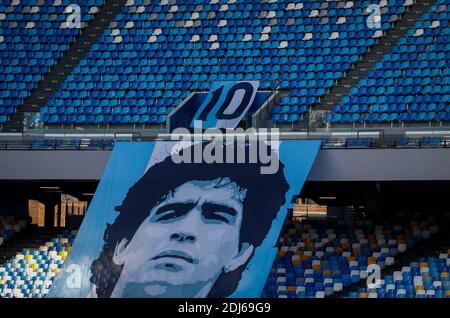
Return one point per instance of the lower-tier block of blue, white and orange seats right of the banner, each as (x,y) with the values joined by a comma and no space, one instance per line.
(319,258)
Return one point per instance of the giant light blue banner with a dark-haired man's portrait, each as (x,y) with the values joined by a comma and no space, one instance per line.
(180,219)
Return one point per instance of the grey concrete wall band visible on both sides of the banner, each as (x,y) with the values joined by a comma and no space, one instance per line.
(330,165)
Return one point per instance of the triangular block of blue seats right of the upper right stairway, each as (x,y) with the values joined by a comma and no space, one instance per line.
(410,84)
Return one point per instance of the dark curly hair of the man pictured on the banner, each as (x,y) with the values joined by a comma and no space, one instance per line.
(264,197)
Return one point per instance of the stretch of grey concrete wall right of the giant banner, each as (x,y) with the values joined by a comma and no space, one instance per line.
(381,165)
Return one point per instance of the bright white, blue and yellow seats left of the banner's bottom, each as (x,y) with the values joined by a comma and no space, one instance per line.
(31,273)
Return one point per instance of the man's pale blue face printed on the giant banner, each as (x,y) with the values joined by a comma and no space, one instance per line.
(187,239)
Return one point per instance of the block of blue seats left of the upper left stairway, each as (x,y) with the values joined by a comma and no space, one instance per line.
(33,36)
